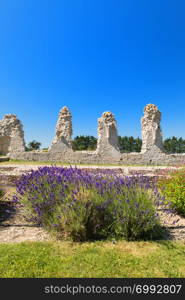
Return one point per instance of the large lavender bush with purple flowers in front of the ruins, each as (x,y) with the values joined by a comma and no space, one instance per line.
(86,205)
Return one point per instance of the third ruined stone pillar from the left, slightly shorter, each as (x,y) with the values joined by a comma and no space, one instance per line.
(107,135)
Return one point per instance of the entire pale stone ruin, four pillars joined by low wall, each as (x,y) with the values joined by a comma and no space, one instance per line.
(107,152)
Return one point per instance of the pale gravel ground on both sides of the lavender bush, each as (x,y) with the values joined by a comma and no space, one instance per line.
(14,228)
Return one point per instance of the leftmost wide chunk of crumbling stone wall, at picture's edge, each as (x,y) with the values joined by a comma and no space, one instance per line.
(11,135)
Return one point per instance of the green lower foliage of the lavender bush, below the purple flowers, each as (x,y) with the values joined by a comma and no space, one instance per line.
(90,218)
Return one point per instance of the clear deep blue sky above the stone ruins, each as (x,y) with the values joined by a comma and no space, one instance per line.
(93,56)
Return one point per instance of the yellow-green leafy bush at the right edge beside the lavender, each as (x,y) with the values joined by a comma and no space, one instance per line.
(173,188)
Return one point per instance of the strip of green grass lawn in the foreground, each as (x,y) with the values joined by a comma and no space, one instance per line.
(96,259)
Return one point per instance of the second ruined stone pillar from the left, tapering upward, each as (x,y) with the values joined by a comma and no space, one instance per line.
(63,128)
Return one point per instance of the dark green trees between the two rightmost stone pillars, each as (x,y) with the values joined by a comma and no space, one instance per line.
(129,144)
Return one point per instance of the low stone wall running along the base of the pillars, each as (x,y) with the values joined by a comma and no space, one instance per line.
(87,157)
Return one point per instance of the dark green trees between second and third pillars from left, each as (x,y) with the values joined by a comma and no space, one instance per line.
(84,143)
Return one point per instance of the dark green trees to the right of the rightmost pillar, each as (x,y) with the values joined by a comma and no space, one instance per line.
(174,145)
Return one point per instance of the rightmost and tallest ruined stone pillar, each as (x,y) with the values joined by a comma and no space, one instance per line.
(151,130)
